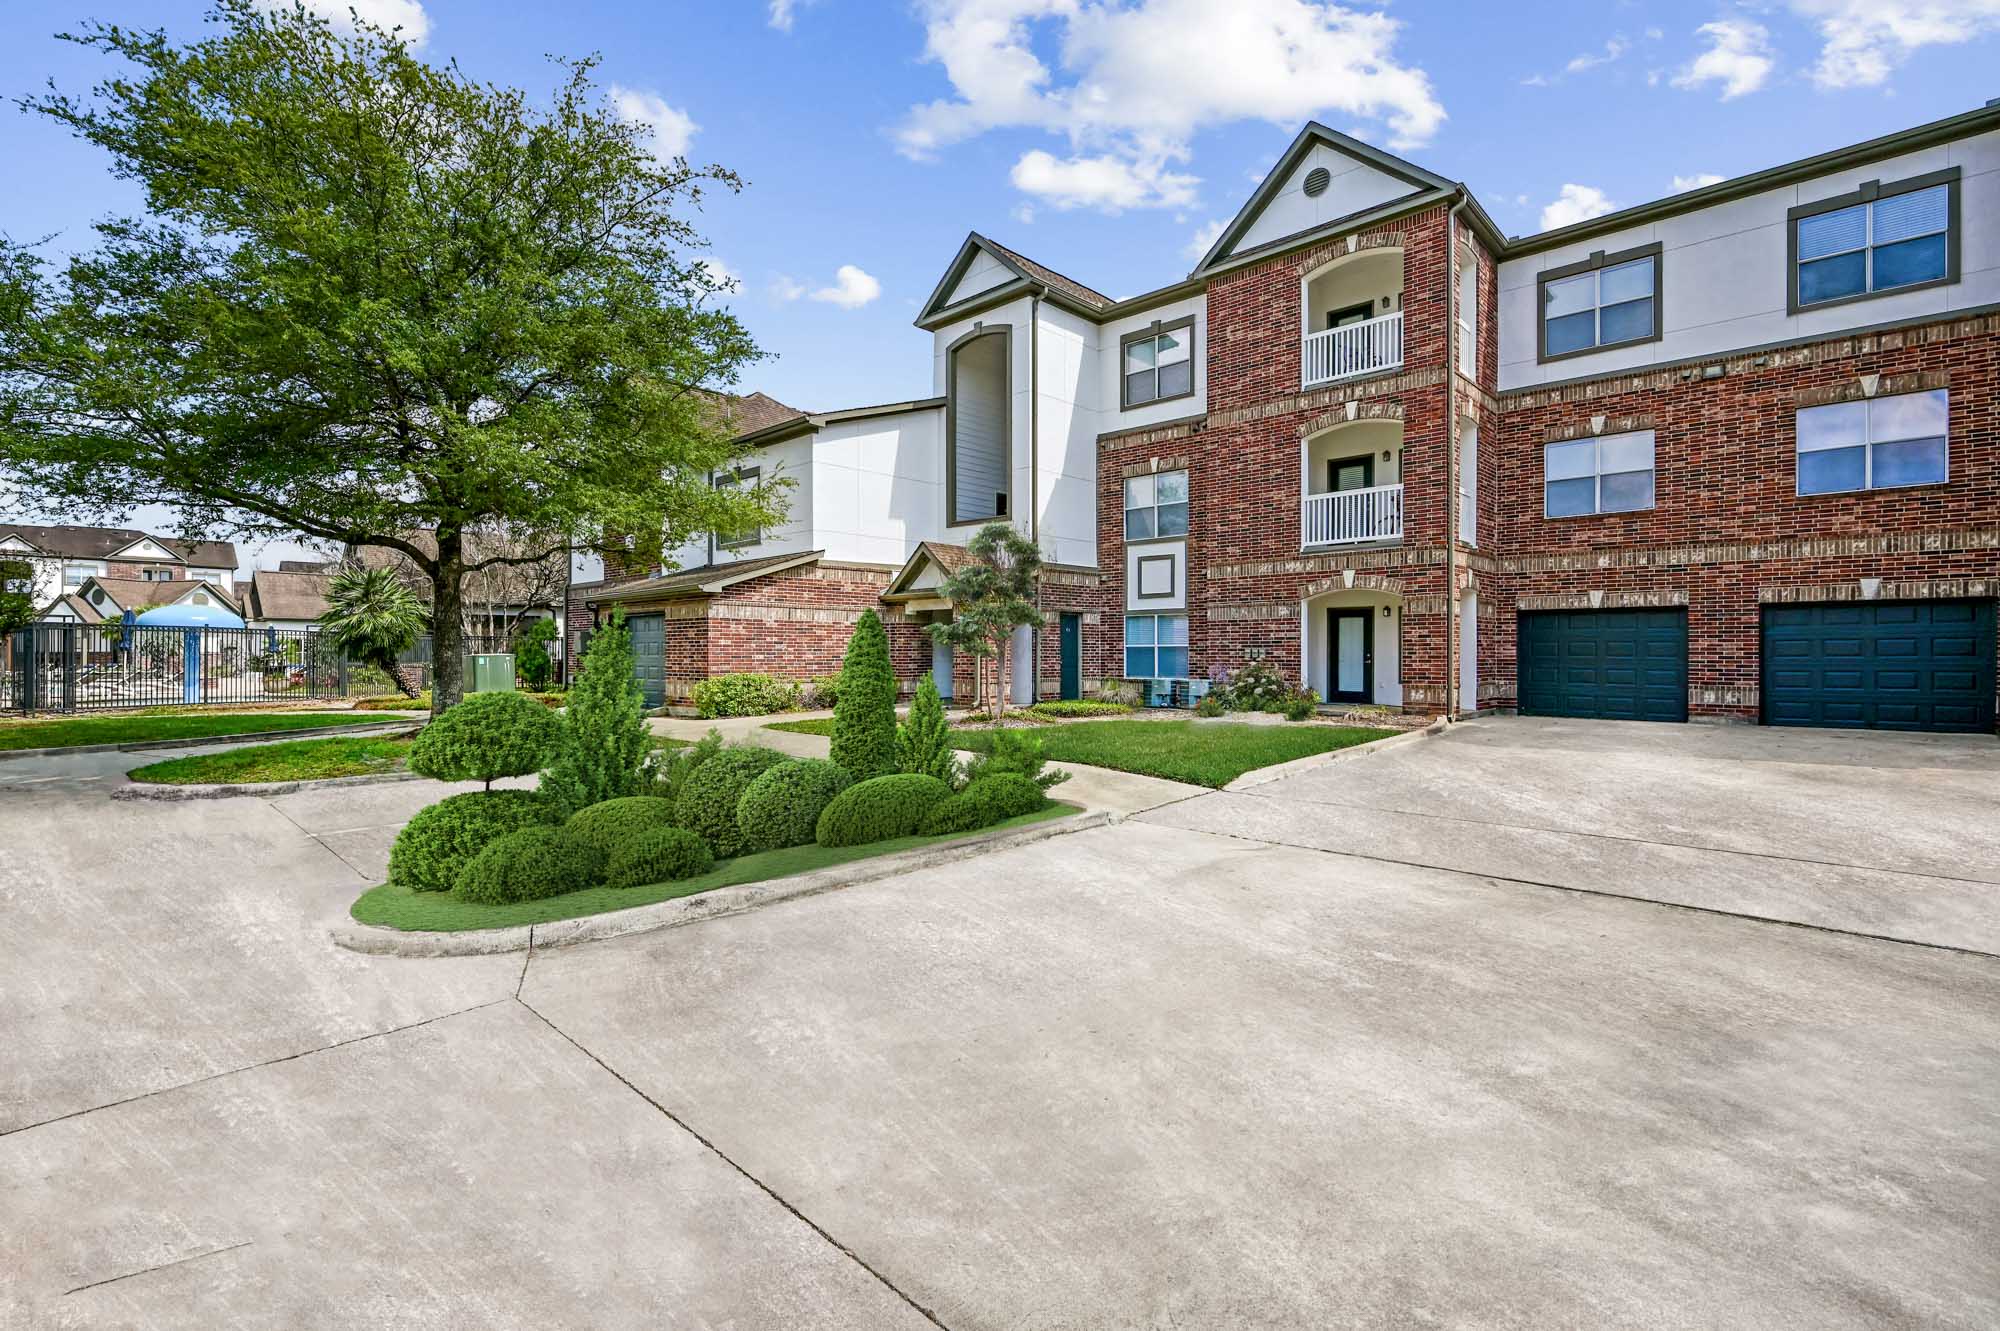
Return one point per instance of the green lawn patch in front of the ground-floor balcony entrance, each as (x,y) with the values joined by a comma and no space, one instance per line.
(1209,754)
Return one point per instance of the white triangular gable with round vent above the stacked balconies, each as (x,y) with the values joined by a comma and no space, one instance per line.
(1347,179)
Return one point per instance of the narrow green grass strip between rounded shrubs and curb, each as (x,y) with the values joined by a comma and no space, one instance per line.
(399,908)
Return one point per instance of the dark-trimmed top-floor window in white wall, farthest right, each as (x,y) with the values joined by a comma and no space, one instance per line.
(1881,239)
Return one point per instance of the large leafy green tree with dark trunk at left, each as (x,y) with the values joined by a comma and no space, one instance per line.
(369,299)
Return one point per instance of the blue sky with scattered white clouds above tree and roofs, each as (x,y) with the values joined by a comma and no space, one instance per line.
(1103,137)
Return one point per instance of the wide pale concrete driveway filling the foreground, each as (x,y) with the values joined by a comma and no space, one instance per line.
(1165,1074)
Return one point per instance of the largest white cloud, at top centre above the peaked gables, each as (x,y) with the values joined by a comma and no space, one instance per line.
(1135,81)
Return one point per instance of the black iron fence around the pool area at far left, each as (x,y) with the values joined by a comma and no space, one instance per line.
(103,666)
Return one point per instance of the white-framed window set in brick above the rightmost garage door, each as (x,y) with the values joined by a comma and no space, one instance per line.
(1875,445)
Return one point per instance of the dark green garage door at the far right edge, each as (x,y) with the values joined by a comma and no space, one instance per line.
(1891,666)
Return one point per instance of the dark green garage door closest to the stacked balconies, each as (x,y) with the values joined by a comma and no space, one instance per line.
(1615,665)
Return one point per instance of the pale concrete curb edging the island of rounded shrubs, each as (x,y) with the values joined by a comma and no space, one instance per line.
(737,900)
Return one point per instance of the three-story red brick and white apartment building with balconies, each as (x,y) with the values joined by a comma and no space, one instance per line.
(1723,457)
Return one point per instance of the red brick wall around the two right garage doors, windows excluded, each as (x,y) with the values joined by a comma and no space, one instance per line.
(1729,531)
